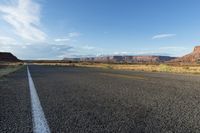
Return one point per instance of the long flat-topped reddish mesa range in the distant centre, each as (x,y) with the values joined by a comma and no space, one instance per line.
(124,59)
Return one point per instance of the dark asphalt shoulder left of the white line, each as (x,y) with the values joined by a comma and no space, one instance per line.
(15,106)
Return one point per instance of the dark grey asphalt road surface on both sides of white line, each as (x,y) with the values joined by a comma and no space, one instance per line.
(97,100)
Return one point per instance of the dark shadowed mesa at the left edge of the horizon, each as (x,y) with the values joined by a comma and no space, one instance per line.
(8,57)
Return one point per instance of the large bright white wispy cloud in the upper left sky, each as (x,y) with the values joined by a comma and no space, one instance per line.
(24,17)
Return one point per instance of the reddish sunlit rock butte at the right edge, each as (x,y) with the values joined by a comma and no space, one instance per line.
(192,58)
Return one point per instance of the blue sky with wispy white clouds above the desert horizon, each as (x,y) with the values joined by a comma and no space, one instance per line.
(54,29)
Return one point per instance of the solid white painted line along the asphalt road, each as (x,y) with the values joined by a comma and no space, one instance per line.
(39,121)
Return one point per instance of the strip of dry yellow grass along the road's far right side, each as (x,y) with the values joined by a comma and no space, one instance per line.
(191,69)
